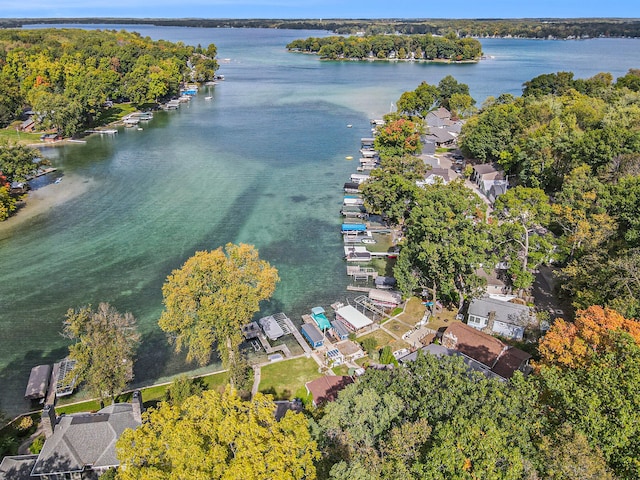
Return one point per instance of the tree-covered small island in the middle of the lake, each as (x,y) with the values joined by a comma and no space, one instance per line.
(415,47)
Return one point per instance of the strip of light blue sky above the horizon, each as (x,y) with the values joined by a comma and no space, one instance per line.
(317,9)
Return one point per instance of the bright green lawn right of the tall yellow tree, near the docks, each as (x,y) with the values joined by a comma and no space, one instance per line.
(285,379)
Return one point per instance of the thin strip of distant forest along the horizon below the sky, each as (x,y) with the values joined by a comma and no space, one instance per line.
(524,28)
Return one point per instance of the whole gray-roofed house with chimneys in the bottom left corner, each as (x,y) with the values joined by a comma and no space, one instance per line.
(78,446)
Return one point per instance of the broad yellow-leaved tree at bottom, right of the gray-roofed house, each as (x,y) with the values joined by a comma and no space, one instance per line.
(218,436)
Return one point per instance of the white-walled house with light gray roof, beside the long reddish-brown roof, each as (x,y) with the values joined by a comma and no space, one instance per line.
(506,319)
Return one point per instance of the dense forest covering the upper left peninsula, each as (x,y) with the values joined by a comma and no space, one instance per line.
(67,76)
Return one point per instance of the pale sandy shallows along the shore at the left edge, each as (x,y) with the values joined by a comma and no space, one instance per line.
(44,199)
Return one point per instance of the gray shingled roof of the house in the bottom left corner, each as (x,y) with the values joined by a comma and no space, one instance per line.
(86,439)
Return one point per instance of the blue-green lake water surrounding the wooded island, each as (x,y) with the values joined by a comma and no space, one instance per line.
(263,162)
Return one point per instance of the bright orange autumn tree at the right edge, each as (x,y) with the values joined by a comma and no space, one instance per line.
(570,345)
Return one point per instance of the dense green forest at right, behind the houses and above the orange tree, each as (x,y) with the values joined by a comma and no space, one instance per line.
(576,143)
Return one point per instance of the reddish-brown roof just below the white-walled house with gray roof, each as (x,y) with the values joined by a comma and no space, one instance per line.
(473,343)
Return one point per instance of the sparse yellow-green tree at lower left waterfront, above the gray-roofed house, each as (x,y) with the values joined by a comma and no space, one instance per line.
(106,341)
